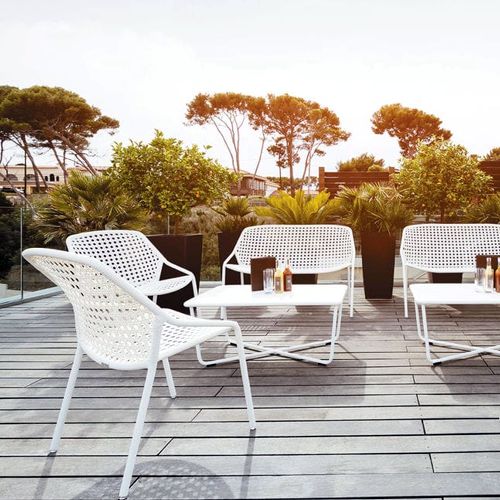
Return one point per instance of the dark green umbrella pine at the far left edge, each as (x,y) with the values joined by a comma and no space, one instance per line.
(53,118)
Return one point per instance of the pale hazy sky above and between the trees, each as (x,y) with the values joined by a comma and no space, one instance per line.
(142,61)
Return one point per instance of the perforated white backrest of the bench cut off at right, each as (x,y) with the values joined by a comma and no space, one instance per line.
(448,247)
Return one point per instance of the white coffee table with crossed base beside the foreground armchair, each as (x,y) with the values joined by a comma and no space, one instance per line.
(302,295)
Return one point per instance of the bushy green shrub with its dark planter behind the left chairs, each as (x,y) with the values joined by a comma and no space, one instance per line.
(169,179)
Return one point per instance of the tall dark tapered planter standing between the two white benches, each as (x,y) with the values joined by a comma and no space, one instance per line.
(378,253)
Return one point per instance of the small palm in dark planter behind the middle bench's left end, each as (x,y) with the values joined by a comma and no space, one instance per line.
(235,215)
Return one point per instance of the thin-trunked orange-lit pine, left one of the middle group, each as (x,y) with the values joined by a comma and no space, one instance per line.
(228,112)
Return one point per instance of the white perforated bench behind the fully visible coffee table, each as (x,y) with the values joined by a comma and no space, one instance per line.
(310,248)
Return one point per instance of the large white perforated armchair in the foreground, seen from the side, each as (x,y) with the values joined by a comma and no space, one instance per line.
(119,327)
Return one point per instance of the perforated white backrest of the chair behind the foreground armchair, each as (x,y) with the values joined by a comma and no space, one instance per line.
(129,253)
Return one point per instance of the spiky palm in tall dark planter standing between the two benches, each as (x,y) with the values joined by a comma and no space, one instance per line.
(378,214)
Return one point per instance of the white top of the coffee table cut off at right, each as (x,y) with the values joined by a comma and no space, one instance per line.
(451,293)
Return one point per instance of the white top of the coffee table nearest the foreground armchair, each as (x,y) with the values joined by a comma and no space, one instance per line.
(242,295)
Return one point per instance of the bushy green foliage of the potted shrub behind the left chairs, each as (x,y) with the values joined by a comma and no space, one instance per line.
(167,178)
